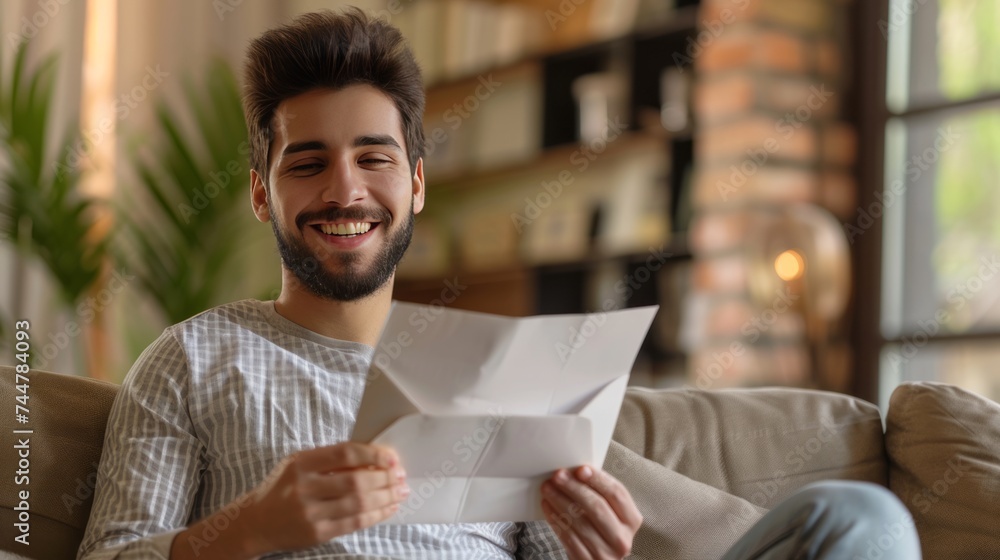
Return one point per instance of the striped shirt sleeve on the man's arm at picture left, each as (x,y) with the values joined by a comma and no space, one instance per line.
(151,462)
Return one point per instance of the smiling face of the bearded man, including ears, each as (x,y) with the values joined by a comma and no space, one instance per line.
(341,198)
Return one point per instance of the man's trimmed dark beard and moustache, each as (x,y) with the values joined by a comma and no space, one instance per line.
(349,280)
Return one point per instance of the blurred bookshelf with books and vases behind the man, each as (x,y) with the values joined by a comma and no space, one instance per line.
(536,202)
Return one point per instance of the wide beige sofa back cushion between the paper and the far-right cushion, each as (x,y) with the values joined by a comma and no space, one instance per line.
(757,444)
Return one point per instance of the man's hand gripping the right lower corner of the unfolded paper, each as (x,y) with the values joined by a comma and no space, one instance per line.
(591,513)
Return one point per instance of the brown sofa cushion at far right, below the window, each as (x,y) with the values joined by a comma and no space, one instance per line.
(944,450)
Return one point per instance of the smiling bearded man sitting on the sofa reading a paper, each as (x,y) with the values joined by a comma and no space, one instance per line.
(229,436)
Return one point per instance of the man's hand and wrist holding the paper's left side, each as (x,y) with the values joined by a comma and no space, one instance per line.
(309,498)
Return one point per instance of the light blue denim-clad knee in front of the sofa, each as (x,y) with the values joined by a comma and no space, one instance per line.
(835,520)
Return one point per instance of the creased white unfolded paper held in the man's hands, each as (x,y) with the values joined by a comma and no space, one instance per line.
(482,408)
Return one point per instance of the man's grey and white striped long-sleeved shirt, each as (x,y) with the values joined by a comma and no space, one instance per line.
(213,405)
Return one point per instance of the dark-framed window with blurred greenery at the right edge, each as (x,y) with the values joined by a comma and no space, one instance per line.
(939,312)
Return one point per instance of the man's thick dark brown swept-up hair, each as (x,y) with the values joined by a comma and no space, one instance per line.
(330,50)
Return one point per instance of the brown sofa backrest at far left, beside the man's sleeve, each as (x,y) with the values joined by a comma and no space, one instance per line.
(67,415)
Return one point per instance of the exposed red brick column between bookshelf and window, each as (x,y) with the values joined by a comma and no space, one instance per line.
(771,85)
